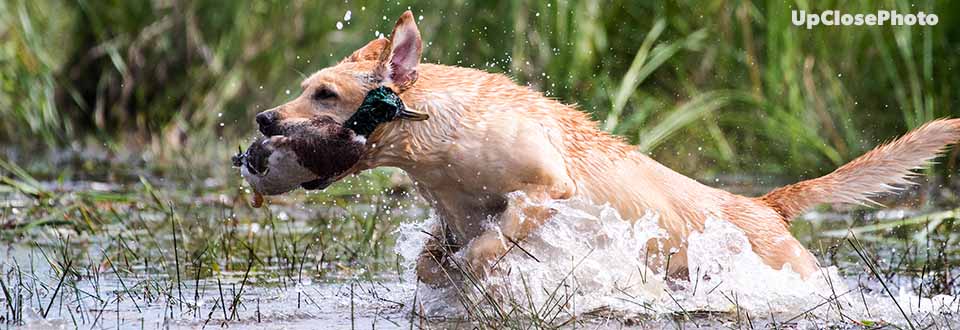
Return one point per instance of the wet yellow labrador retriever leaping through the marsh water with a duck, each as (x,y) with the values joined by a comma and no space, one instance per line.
(487,137)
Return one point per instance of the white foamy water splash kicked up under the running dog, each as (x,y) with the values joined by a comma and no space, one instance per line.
(592,259)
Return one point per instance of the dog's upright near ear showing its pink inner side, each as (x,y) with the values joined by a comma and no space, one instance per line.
(399,63)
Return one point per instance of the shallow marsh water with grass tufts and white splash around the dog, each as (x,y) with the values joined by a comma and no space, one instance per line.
(147,252)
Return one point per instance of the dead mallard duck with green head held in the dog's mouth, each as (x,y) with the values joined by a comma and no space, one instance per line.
(311,154)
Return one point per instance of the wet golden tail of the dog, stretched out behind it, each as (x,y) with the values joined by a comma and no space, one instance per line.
(880,170)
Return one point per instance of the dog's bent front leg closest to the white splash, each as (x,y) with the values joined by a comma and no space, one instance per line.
(525,213)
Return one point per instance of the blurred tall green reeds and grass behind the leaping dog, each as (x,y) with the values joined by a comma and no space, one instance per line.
(707,87)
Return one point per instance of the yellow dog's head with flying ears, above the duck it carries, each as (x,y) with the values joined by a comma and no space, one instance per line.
(338,91)
